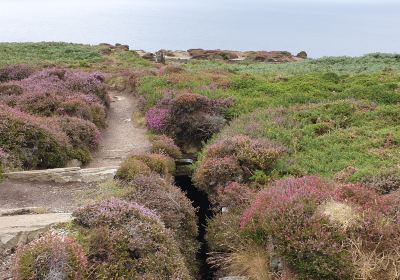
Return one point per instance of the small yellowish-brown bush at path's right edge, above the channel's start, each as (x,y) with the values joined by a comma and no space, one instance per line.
(158,163)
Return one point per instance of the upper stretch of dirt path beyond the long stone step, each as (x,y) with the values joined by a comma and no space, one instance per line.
(122,137)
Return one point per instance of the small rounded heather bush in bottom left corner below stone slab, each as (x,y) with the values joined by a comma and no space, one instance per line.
(51,257)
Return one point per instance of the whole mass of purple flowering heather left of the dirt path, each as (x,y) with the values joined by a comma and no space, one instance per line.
(57,94)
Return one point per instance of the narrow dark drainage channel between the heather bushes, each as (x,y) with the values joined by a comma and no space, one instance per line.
(199,200)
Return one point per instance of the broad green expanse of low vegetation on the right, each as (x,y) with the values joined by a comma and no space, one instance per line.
(343,115)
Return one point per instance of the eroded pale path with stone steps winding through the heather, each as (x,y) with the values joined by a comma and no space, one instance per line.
(120,139)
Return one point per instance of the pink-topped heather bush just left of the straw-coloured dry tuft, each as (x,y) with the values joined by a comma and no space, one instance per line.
(287,215)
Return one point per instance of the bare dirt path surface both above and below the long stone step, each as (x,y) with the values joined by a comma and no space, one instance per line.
(121,138)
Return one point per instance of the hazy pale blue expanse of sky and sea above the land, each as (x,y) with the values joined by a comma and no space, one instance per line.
(330,27)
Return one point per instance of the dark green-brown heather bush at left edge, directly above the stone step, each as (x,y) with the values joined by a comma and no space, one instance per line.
(31,140)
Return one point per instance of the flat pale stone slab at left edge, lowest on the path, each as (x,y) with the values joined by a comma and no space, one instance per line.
(24,228)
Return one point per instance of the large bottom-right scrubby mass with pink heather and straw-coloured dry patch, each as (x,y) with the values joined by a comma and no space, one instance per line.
(323,232)
